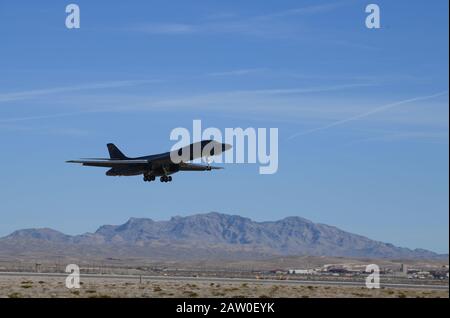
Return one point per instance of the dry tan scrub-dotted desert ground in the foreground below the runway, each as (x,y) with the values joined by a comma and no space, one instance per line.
(51,287)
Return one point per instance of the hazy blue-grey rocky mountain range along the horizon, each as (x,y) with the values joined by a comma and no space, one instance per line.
(205,236)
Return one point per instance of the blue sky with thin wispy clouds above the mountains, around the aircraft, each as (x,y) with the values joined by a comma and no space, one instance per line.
(362,114)
